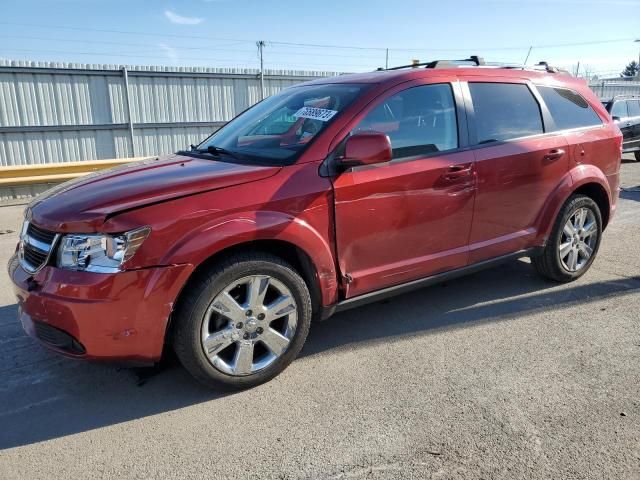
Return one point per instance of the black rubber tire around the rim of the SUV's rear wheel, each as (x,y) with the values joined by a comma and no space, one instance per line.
(548,263)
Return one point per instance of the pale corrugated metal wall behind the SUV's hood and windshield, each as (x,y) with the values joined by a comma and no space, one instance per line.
(51,112)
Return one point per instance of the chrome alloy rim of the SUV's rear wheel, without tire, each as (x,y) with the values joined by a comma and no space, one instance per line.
(578,239)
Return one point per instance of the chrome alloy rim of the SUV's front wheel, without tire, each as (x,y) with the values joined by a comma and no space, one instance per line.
(249,325)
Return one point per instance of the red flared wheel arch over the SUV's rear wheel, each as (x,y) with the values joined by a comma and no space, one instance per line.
(570,182)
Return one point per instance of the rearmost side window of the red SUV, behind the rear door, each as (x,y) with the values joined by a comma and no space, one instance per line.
(568,108)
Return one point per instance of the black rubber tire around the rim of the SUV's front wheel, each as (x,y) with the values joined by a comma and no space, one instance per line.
(198,295)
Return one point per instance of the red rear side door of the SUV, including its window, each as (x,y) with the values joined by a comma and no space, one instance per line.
(518,164)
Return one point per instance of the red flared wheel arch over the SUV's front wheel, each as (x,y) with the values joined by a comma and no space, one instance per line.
(242,227)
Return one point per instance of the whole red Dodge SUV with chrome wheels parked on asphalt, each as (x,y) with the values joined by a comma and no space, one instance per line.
(328,195)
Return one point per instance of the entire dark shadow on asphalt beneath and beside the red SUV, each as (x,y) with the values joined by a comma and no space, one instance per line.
(44,396)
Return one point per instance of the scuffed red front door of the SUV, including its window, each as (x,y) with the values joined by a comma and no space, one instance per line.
(411,217)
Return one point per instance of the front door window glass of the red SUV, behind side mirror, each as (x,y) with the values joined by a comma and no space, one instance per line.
(419,121)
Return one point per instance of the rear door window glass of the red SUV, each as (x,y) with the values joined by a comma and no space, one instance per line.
(504,111)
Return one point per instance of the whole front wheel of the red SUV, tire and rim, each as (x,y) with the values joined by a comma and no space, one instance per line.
(243,321)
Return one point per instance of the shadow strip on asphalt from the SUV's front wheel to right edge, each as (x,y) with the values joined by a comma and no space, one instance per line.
(503,293)
